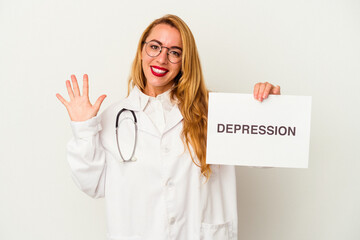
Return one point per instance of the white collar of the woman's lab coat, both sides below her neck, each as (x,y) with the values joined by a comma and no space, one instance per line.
(137,103)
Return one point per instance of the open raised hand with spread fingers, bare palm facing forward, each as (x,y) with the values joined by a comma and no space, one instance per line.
(79,106)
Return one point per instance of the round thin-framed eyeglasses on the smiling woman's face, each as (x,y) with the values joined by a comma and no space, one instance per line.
(153,49)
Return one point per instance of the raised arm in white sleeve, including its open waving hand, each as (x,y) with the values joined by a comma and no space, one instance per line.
(85,153)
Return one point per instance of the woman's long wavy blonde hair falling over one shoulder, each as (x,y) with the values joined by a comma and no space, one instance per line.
(189,89)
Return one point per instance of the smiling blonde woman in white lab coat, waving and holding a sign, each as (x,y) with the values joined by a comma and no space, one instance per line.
(166,190)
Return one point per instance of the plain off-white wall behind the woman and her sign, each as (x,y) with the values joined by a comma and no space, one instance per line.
(307,47)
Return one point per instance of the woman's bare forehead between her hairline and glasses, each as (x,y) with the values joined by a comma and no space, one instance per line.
(166,34)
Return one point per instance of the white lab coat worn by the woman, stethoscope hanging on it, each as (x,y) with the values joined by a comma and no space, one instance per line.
(162,195)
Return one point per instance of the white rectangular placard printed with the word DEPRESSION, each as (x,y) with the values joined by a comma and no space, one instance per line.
(246,132)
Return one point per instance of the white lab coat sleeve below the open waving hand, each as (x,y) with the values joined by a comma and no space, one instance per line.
(86,157)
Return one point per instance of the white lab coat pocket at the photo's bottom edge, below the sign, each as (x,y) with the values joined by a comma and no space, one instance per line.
(223,231)
